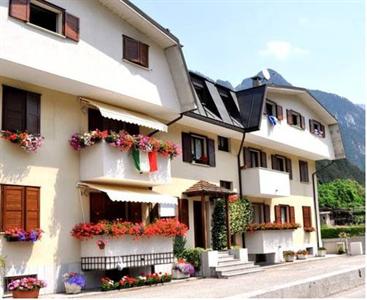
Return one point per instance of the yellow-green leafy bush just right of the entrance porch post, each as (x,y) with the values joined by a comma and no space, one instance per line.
(240,215)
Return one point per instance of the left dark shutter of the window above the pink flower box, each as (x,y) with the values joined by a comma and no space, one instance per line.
(14,109)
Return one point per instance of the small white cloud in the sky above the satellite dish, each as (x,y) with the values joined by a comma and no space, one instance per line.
(282,50)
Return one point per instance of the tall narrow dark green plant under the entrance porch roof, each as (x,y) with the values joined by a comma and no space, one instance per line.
(219,230)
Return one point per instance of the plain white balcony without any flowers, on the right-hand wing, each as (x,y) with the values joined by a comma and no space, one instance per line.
(265,183)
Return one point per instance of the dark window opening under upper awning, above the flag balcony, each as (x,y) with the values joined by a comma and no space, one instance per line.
(97,121)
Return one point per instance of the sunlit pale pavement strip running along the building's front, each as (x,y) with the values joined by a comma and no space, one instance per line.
(237,286)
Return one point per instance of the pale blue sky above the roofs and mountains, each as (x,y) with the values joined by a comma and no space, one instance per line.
(316,44)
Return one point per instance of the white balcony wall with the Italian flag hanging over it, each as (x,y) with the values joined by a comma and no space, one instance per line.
(103,163)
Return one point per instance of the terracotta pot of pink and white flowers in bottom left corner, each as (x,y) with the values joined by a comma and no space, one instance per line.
(27,287)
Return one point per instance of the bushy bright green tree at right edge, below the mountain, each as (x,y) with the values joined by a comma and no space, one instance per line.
(341,193)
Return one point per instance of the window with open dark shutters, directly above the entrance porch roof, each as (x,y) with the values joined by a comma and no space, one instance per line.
(198,148)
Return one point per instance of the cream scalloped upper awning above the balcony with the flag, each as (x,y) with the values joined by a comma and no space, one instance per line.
(124,115)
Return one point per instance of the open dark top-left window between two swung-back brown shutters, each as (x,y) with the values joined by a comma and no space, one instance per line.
(46,15)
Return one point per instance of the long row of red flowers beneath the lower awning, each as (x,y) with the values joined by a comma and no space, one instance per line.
(162,227)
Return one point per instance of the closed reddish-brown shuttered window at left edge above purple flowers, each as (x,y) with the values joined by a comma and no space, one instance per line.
(20,207)
